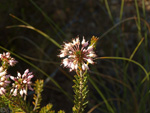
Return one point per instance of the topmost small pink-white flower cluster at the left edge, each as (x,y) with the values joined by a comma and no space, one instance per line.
(7,60)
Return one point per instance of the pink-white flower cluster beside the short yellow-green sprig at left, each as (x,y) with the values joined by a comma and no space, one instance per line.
(22,83)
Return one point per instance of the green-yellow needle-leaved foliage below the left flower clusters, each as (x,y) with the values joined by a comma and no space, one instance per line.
(17,104)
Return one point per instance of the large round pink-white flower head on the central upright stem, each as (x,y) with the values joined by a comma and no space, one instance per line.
(76,55)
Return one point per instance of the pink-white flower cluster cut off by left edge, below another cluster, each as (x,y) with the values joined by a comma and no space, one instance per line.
(3,81)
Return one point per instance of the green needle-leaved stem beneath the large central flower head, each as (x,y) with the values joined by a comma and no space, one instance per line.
(81,91)
